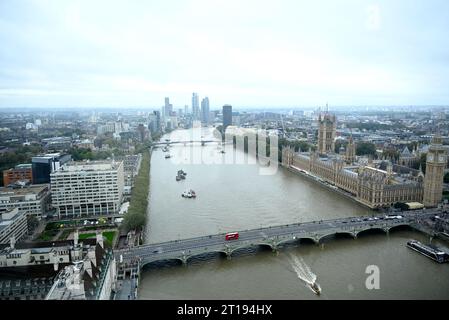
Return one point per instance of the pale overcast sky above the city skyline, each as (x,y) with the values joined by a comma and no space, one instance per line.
(245,53)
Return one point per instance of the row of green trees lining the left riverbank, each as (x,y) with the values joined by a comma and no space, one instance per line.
(136,216)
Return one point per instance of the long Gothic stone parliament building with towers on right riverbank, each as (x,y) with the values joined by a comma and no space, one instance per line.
(374,184)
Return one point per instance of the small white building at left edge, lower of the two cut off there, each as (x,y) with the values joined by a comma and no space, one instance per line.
(13,224)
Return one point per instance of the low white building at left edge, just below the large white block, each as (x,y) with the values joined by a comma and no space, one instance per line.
(33,200)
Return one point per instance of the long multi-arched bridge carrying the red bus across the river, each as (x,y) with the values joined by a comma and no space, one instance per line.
(272,237)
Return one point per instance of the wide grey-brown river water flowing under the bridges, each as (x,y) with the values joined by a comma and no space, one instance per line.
(234,197)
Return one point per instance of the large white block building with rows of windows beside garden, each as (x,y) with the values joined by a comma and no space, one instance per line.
(88,188)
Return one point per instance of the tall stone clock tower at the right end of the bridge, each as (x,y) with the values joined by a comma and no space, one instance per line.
(435,165)
